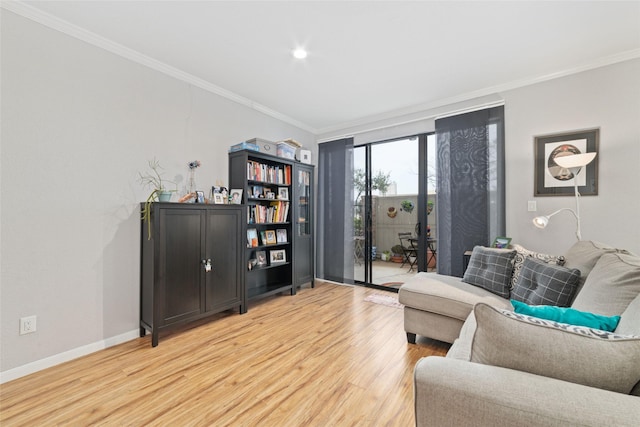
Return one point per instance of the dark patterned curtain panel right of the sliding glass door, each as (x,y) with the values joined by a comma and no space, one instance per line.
(471,187)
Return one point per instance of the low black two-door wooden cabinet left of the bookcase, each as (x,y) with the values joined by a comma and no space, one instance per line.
(191,264)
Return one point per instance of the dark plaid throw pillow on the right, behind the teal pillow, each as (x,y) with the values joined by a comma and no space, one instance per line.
(545,284)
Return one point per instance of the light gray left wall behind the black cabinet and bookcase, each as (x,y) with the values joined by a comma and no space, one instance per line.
(78,123)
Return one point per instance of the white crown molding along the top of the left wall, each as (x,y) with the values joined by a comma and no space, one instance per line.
(72,30)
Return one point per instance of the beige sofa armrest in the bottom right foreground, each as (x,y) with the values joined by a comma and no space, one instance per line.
(452,392)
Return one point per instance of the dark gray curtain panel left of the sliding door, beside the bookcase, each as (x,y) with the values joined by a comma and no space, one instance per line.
(335,211)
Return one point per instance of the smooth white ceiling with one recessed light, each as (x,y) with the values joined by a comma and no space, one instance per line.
(367,60)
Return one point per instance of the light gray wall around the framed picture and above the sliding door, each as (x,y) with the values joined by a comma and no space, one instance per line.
(606,97)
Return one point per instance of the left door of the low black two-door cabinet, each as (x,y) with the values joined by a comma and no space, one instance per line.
(179,264)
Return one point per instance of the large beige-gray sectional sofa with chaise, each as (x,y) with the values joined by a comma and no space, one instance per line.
(511,369)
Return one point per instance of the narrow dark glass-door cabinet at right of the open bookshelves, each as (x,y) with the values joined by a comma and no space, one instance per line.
(303,224)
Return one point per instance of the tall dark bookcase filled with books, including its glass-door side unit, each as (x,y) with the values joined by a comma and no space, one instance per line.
(274,203)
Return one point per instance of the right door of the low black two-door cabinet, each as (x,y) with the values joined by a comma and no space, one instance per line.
(223,282)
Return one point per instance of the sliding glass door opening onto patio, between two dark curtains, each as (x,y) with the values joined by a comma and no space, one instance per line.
(391,181)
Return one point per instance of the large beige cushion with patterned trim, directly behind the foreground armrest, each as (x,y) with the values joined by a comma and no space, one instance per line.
(587,356)
